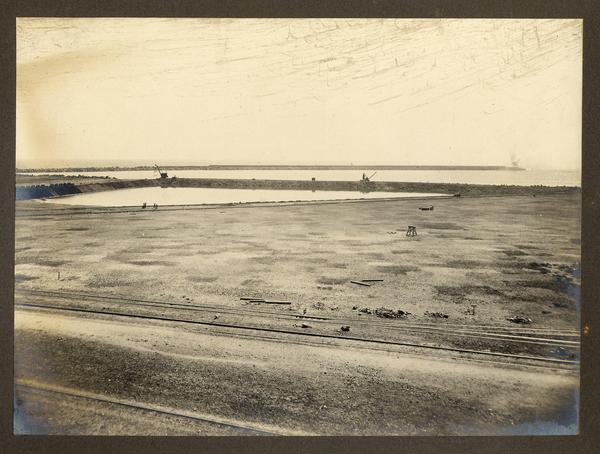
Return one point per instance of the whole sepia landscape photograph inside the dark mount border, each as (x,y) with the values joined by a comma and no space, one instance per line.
(297,227)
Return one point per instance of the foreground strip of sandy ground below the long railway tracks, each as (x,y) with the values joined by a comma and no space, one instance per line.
(287,388)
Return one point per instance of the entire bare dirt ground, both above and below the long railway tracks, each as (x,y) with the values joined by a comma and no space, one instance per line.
(509,256)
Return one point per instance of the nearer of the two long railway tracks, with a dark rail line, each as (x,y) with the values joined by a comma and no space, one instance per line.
(277,333)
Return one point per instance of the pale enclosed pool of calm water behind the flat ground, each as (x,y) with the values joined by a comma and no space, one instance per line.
(192,196)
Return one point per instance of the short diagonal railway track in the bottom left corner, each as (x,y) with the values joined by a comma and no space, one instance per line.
(241,428)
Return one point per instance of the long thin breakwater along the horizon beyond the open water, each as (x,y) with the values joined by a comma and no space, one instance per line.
(271,167)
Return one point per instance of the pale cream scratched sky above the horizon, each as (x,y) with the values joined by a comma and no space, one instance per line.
(308,91)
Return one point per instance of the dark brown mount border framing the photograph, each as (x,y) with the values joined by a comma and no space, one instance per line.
(590,261)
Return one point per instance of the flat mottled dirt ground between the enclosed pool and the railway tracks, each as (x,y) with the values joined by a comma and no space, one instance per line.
(508,255)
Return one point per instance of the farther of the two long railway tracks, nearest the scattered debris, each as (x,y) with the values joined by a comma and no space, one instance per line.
(555,338)
